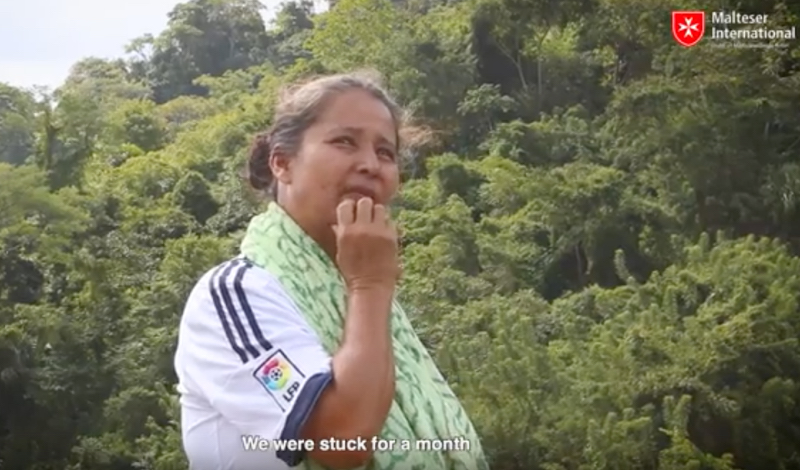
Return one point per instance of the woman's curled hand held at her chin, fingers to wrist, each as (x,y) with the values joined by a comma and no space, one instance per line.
(367,245)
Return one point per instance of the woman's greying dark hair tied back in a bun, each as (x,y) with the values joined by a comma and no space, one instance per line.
(298,107)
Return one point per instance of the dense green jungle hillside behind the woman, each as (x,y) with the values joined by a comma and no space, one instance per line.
(600,240)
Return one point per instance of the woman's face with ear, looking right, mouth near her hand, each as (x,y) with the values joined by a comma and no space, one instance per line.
(349,152)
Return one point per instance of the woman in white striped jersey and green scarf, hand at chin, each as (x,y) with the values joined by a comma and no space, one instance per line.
(300,338)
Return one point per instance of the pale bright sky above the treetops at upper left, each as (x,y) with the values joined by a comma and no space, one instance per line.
(41,39)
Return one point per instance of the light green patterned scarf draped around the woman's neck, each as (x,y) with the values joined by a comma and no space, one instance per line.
(424,407)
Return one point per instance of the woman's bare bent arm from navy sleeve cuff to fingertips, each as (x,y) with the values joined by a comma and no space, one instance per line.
(356,403)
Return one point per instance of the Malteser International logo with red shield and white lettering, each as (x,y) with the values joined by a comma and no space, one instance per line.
(731,29)
